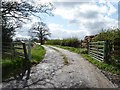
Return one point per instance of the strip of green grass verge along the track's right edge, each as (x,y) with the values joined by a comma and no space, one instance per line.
(100,65)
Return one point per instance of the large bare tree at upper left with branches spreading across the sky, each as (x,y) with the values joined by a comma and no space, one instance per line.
(14,13)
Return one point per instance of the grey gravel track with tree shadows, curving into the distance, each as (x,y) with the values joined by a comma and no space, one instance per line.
(52,73)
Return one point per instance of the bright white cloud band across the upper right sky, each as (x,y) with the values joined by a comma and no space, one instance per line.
(84,9)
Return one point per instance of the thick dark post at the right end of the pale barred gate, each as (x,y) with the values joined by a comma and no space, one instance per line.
(107,52)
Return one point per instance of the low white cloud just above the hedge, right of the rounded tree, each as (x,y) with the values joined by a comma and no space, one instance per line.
(58,32)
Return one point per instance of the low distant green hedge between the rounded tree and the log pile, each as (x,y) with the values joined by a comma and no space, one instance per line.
(72,42)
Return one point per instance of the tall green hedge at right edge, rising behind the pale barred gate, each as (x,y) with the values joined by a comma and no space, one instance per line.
(112,35)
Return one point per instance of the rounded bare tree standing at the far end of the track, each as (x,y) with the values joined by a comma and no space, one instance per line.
(41,31)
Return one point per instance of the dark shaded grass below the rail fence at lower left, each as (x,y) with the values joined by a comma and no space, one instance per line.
(11,67)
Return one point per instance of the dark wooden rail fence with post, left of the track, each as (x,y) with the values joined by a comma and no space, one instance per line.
(15,49)
